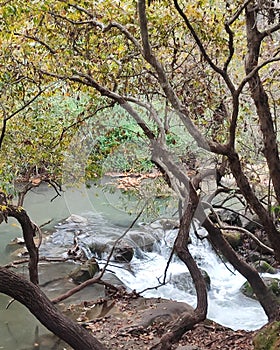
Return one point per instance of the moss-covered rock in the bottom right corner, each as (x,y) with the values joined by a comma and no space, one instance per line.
(267,338)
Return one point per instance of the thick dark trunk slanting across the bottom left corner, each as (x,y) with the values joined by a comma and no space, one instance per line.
(40,306)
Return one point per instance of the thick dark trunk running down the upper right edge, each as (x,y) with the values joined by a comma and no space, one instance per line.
(270,149)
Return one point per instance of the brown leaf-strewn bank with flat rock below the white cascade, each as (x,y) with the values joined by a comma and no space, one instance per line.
(125,321)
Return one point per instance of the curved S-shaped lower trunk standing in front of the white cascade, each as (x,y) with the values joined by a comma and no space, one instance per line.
(187,320)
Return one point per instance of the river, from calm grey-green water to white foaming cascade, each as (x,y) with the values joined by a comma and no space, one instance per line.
(105,218)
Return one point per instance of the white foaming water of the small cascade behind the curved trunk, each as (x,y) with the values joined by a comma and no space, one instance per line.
(227,305)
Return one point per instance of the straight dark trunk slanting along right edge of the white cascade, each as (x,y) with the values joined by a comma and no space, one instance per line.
(266,298)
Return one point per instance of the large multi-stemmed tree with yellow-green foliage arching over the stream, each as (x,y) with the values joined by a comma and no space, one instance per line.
(187,59)
